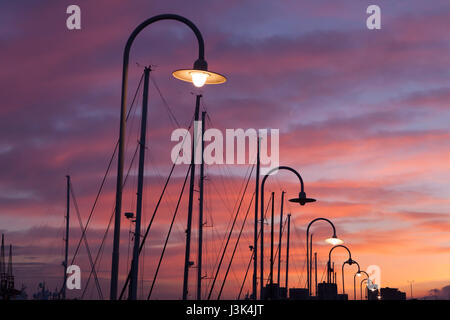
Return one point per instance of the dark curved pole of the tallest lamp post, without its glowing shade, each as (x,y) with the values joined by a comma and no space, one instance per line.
(199,64)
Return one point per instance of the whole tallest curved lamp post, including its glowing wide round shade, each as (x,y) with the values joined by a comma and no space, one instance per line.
(198,75)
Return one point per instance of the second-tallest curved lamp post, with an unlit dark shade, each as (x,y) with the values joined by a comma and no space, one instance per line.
(302,200)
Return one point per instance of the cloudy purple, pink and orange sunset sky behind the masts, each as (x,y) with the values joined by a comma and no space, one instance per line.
(363,116)
